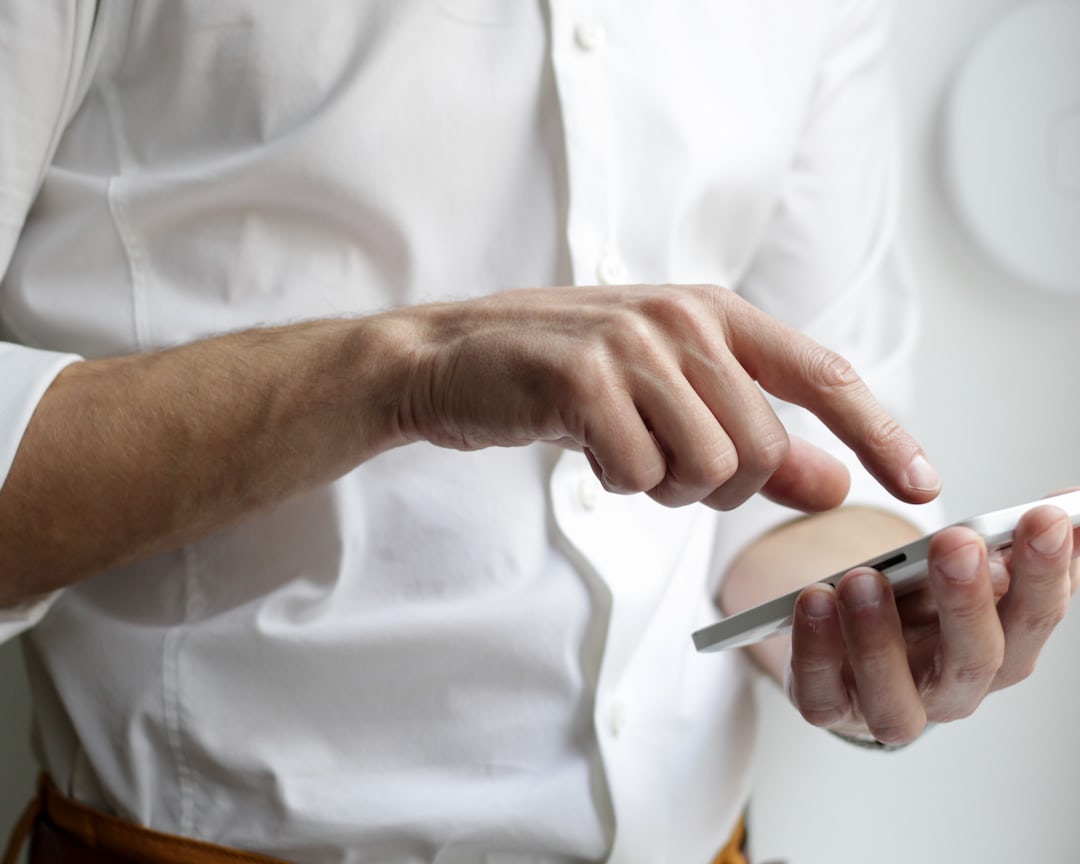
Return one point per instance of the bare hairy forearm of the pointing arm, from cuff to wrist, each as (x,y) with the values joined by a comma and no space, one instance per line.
(129,456)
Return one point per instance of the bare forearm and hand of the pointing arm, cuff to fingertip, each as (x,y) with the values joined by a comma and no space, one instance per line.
(128,457)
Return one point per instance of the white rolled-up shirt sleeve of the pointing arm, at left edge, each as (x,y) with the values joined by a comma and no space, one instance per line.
(45,50)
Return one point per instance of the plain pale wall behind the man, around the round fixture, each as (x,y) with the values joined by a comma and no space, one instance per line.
(1000,412)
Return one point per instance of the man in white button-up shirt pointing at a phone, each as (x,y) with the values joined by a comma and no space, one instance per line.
(372,547)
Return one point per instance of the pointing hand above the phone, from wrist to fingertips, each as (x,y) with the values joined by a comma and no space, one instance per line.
(659,387)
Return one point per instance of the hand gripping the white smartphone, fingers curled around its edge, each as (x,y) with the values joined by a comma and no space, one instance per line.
(863,664)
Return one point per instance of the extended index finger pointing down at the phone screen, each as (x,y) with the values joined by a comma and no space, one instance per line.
(798,370)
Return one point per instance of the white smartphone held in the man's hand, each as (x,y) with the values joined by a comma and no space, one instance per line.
(904,568)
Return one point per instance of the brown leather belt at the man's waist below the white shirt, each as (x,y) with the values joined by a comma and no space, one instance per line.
(63,831)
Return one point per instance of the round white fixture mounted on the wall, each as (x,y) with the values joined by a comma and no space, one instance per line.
(1012,144)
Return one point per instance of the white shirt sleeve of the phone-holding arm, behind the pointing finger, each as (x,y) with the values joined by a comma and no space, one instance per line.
(831,263)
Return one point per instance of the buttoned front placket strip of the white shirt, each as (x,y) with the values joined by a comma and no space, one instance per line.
(583,57)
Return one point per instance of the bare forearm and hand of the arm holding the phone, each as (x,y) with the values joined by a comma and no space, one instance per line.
(862,664)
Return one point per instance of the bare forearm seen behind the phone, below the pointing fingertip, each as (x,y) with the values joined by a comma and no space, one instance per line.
(801,552)
